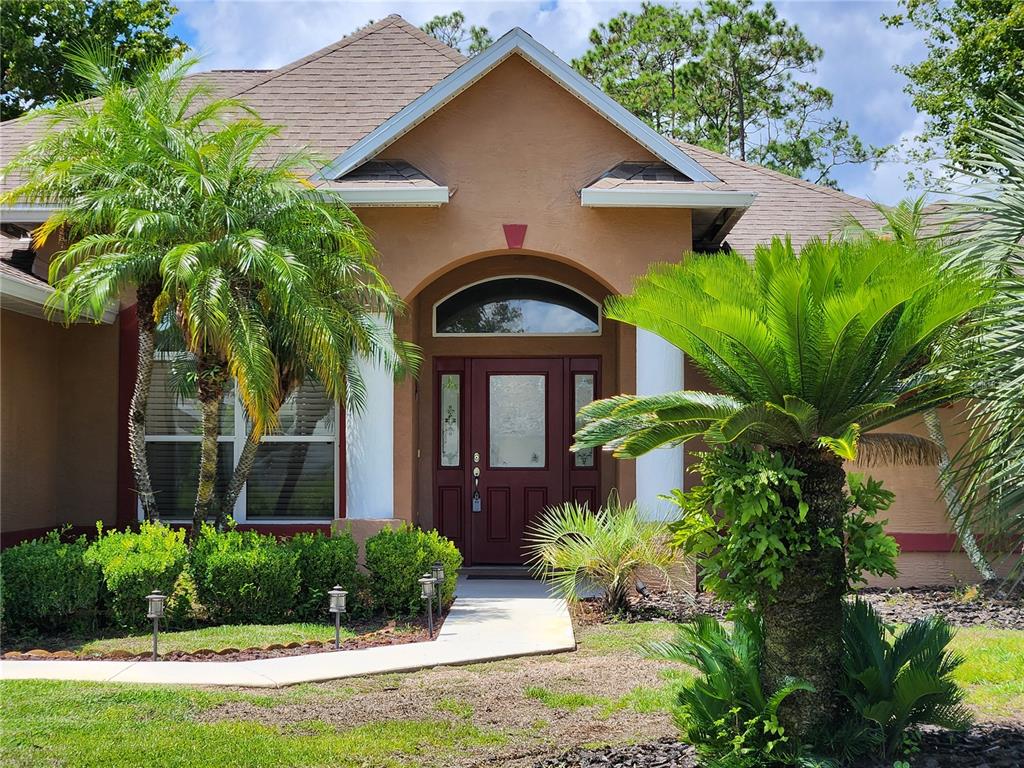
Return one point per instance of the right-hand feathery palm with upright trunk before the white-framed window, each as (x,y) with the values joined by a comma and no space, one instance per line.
(260,257)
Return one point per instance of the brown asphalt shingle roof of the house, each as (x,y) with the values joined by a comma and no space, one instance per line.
(333,98)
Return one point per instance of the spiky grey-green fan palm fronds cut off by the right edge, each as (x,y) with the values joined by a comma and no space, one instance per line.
(991,226)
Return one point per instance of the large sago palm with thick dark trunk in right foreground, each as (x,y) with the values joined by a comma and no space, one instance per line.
(810,353)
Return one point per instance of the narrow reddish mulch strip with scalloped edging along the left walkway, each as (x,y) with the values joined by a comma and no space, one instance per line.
(389,635)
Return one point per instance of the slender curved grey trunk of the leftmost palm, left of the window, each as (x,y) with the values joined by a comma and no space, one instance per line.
(140,401)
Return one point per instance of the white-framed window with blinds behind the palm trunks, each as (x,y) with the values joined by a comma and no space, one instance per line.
(296,465)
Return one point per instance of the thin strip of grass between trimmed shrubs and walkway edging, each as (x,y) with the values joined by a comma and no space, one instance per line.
(218,638)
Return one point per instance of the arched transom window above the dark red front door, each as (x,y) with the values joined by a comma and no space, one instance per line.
(515,307)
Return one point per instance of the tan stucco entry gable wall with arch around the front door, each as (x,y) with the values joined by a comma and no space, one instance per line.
(515,149)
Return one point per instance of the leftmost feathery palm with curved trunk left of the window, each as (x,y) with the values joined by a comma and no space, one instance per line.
(97,161)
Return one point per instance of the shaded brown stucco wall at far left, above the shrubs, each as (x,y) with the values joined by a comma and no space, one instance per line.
(59,397)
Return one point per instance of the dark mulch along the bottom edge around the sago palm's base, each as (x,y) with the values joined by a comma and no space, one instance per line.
(985,746)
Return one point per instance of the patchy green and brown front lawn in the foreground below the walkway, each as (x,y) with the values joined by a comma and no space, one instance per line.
(508,713)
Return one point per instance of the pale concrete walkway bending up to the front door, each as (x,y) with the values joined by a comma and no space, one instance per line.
(491,620)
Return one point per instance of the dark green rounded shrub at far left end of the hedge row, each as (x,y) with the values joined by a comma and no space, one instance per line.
(49,586)
